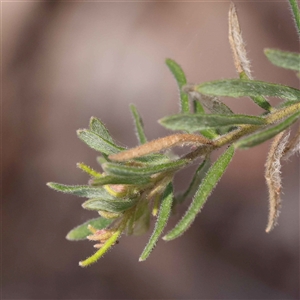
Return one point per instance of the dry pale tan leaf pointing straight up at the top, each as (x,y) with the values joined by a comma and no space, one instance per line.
(241,62)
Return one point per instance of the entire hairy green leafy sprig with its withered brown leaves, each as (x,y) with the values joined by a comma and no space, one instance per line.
(137,183)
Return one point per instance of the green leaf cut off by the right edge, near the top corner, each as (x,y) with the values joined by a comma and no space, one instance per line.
(283,59)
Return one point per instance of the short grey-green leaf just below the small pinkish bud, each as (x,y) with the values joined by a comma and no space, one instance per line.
(114,206)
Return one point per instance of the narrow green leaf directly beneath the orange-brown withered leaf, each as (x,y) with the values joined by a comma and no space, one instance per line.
(123,170)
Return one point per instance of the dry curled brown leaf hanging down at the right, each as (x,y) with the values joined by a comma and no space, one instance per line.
(273,178)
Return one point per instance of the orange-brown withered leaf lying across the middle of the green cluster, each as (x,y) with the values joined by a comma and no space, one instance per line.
(159,145)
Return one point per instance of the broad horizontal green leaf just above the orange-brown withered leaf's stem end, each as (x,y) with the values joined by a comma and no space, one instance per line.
(198,122)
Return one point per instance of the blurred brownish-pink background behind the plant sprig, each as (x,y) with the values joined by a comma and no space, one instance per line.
(63,62)
